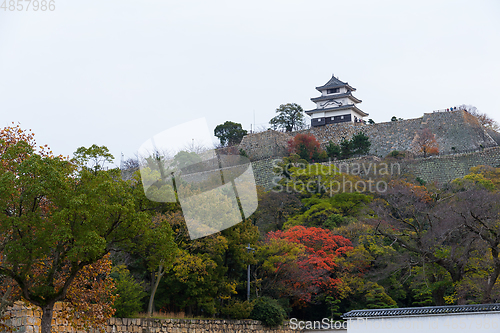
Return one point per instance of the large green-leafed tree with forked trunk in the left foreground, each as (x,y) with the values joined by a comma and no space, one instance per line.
(56,220)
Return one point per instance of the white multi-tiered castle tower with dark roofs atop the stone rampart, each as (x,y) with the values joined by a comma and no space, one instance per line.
(336,104)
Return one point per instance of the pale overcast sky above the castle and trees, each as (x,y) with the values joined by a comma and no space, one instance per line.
(116,73)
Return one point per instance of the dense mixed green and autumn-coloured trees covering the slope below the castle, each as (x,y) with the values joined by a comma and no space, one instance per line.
(320,244)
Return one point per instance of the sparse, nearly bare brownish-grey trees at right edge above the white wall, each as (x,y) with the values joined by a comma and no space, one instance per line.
(449,240)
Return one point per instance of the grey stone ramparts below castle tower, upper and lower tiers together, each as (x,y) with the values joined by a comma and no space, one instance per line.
(463,143)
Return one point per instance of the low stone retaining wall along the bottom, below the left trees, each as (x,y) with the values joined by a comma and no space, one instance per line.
(26,319)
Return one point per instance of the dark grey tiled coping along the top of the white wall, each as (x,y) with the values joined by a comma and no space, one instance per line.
(432,310)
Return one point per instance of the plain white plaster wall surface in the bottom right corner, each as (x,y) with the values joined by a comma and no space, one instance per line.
(452,323)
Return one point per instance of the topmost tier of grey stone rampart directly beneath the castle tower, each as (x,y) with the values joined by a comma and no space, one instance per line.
(455,131)
